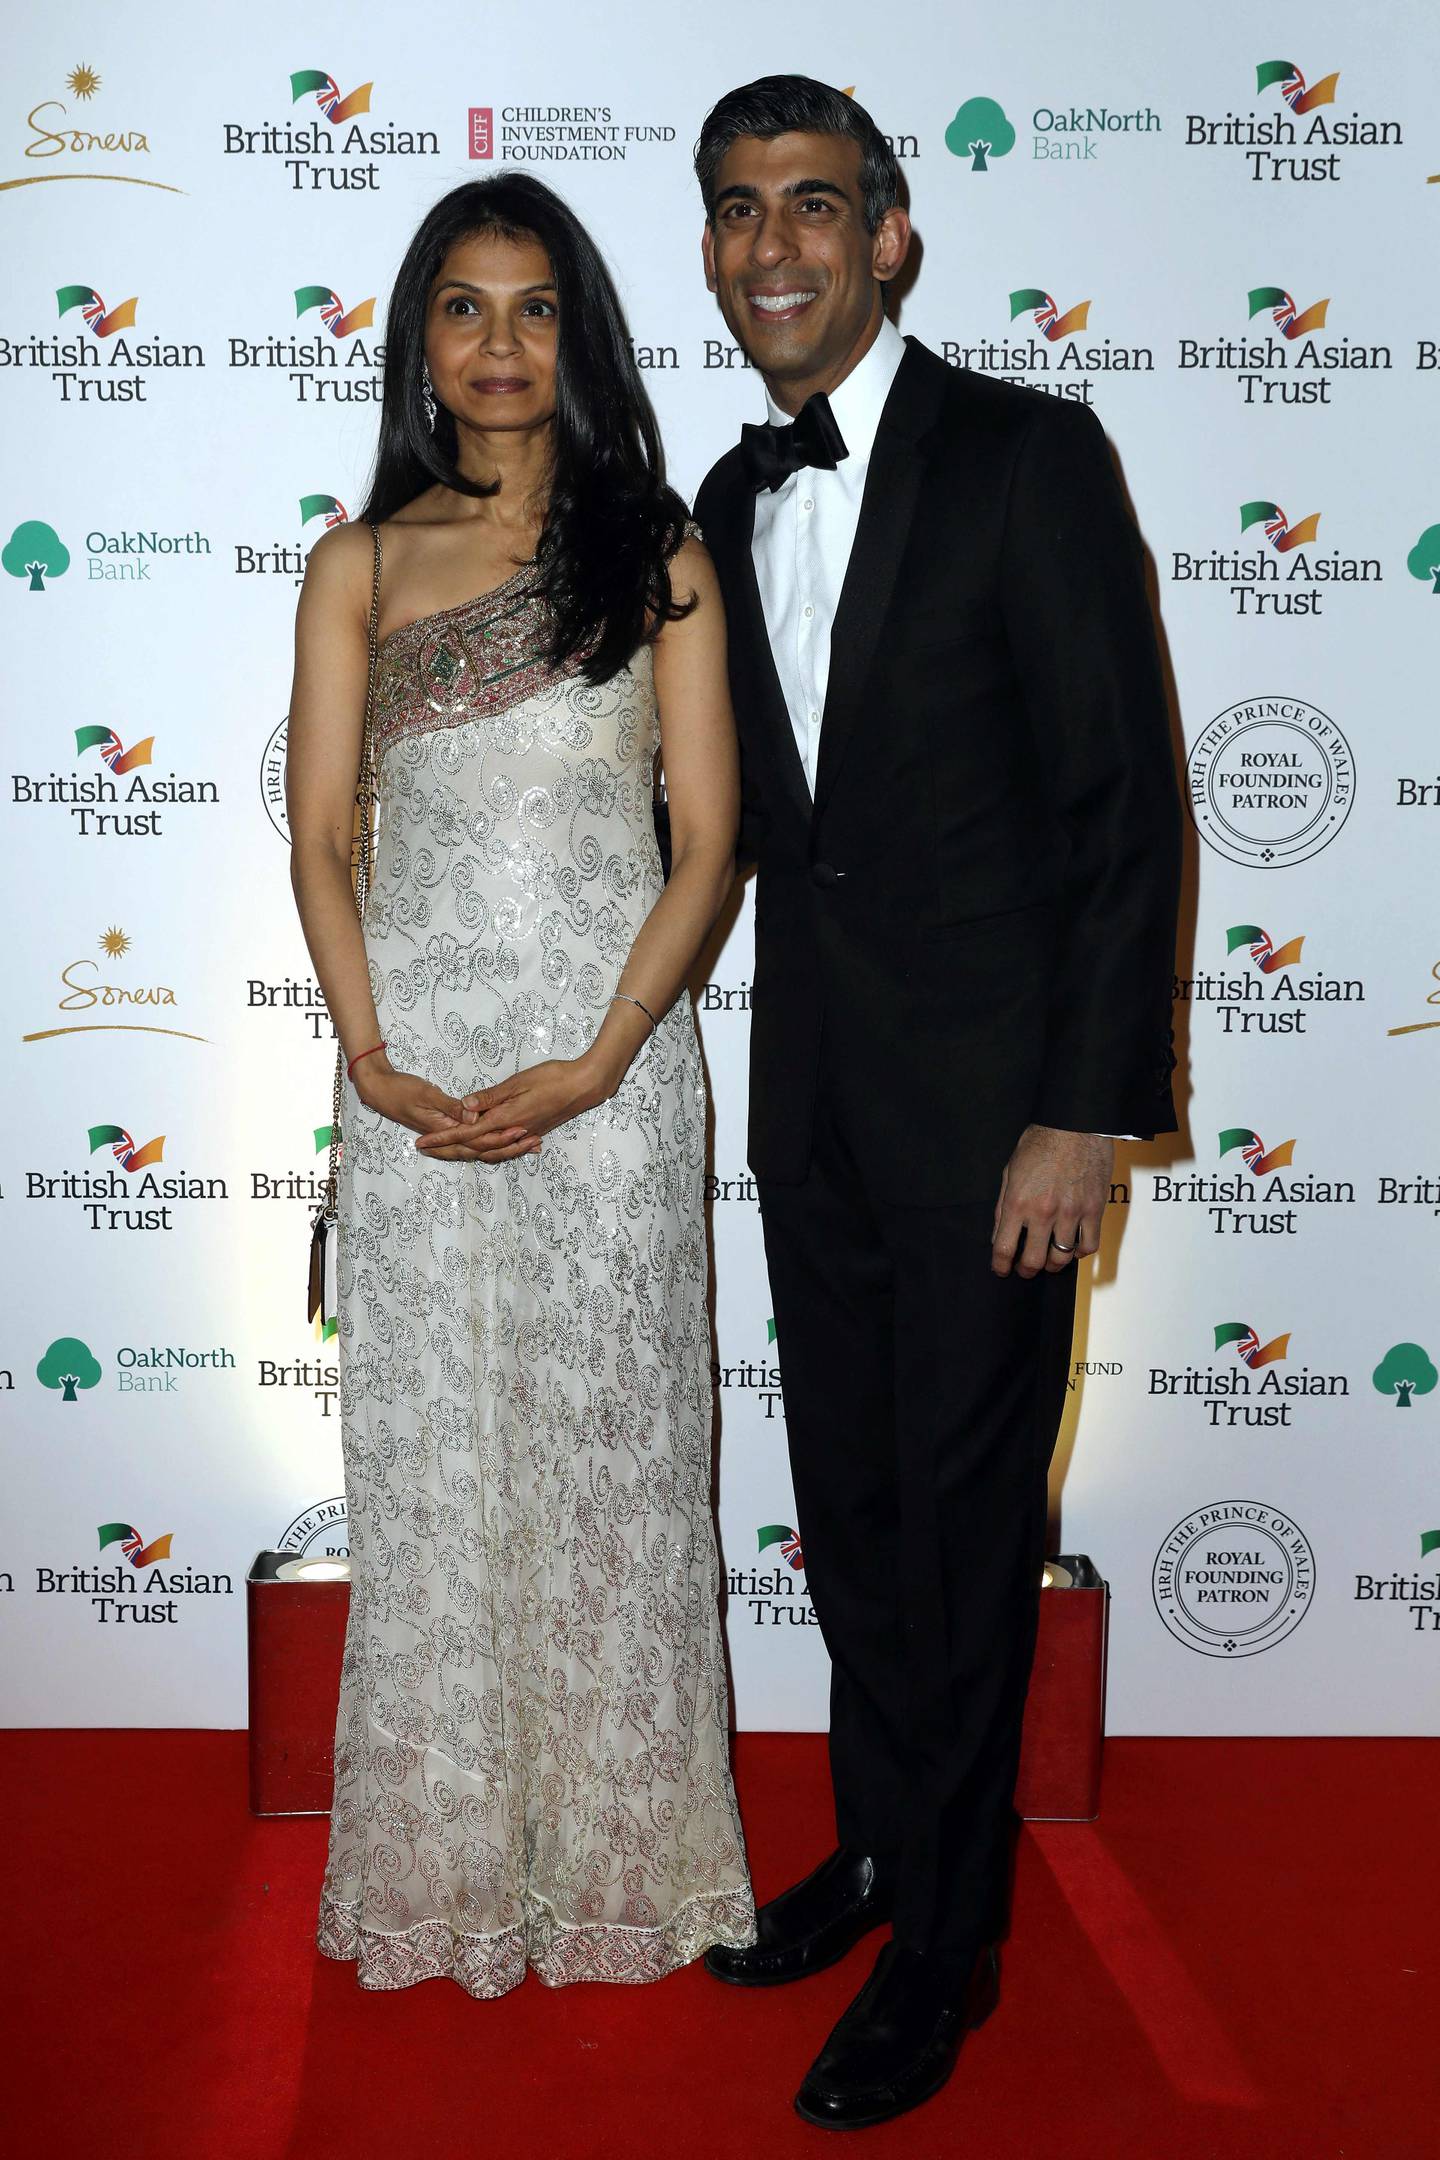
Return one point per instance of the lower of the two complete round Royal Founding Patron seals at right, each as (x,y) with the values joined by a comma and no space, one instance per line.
(1234,1578)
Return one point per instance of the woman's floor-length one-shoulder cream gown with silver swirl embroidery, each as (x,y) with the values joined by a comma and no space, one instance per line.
(532,1751)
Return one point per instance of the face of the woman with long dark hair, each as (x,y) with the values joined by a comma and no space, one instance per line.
(491,334)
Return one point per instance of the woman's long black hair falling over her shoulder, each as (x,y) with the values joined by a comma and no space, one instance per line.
(612,522)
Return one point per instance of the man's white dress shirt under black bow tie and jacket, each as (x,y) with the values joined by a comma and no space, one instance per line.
(804,539)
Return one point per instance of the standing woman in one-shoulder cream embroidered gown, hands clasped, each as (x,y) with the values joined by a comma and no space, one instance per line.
(532,1736)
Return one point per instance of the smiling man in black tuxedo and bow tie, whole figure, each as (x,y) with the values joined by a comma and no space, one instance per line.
(962,802)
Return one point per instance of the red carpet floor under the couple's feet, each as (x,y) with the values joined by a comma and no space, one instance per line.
(1236,1962)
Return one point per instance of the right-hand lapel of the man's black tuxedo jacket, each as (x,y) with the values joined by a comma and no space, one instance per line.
(886,511)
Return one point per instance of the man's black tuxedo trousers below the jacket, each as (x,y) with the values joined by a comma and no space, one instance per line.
(923,1399)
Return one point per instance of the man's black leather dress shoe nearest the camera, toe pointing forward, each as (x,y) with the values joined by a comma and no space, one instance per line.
(899,2040)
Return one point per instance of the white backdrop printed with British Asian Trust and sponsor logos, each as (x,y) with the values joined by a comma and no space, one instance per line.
(1217,228)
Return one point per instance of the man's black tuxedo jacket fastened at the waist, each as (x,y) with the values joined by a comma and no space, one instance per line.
(975,921)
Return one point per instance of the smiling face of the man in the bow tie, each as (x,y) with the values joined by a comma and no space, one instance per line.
(791,262)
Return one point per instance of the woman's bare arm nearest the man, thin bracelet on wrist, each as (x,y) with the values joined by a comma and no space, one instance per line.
(703,779)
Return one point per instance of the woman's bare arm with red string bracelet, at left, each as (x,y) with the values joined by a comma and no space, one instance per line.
(323,759)
